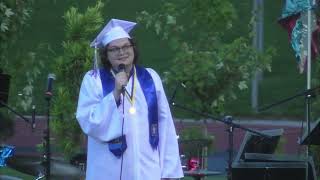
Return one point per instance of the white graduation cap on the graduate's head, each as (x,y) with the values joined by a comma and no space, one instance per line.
(115,29)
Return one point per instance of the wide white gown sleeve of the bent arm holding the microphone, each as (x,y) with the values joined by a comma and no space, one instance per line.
(98,116)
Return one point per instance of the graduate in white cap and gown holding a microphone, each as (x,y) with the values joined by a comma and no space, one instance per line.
(124,111)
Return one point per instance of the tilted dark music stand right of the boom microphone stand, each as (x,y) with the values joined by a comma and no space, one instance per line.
(253,143)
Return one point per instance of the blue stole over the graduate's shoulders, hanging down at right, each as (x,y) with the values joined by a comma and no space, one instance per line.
(149,90)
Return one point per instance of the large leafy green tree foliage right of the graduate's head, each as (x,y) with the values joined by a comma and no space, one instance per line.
(213,65)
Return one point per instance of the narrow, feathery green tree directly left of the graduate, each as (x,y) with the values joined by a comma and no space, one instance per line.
(69,69)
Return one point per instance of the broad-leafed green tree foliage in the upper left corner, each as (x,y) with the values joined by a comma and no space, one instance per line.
(24,67)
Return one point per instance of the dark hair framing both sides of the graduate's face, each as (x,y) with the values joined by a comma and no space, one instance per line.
(103,52)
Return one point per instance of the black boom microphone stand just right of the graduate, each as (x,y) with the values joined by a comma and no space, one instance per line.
(228,120)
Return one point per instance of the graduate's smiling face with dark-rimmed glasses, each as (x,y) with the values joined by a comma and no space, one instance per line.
(120,51)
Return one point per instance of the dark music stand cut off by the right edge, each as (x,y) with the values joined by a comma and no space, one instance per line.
(313,137)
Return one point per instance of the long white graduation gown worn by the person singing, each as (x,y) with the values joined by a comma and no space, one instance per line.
(101,119)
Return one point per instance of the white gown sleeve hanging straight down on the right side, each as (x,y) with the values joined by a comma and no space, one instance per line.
(168,144)
